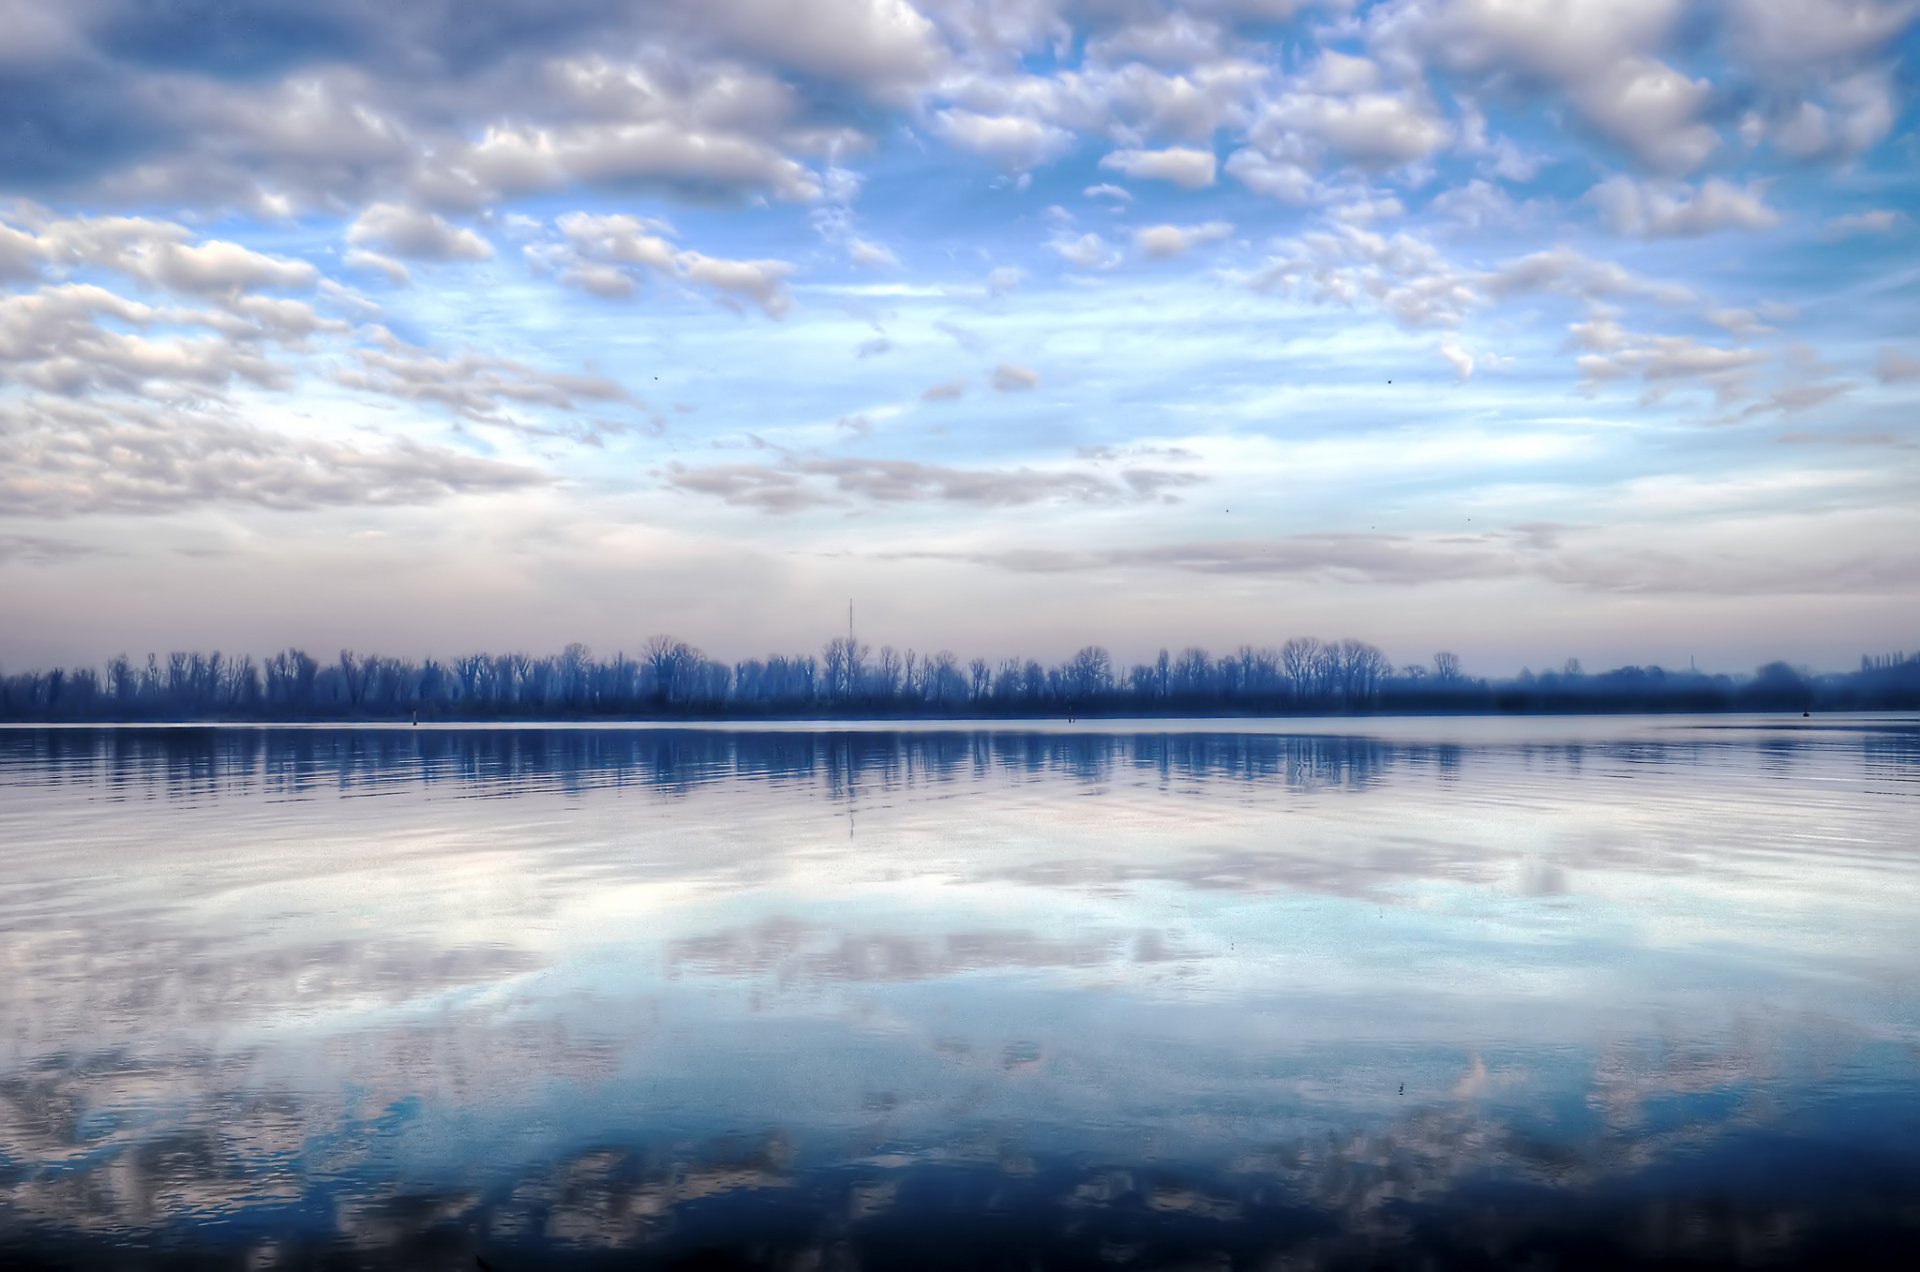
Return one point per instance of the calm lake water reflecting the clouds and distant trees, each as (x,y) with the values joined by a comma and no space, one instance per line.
(1426,994)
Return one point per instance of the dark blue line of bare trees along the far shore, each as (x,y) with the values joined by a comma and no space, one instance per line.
(671,679)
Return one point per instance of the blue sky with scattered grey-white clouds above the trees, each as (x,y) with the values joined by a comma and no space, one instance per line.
(1529,330)
